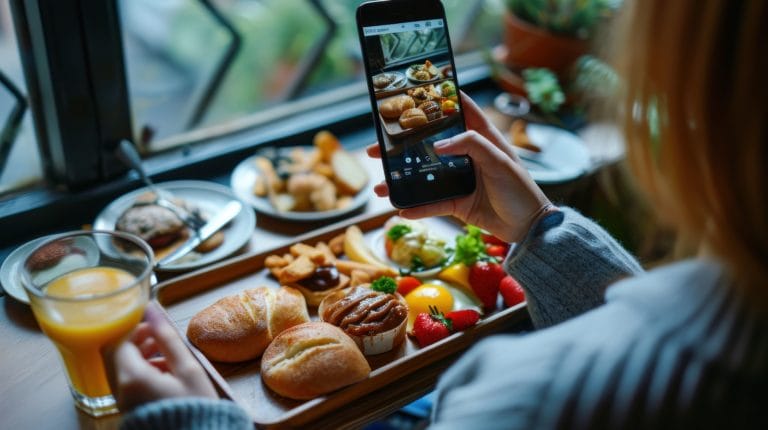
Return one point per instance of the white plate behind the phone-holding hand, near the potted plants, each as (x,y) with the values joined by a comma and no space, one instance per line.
(563,155)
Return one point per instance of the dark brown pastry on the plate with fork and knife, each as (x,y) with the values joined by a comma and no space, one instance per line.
(158,226)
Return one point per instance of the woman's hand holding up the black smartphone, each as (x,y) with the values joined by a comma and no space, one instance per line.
(506,200)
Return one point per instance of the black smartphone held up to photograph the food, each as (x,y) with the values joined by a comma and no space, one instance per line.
(414,95)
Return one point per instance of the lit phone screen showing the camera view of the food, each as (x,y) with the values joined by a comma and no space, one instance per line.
(416,98)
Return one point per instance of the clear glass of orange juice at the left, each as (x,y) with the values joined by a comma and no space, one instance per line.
(88,290)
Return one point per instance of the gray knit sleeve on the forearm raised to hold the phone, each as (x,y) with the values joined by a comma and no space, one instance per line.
(564,264)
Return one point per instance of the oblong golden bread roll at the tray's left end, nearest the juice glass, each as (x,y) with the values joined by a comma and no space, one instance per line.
(239,327)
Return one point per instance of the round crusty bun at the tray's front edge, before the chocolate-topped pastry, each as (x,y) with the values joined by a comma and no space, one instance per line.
(310,360)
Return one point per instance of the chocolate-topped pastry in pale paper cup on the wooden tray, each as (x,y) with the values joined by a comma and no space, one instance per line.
(376,321)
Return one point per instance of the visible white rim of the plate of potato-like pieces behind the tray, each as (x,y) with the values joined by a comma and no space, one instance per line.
(244,177)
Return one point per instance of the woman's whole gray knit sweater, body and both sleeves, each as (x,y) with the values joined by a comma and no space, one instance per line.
(674,347)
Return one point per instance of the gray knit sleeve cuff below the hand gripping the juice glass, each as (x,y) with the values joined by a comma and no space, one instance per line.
(189,413)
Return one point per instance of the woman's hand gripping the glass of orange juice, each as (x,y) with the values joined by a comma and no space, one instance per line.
(155,364)
